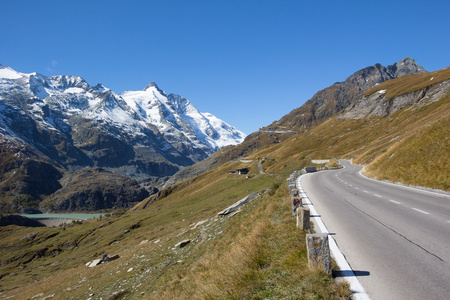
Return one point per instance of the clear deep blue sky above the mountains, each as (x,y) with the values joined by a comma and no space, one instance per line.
(249,62)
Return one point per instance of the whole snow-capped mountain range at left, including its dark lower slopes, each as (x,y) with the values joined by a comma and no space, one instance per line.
(56,125)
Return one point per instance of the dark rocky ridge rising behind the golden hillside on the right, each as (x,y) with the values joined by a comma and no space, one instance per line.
(318,109)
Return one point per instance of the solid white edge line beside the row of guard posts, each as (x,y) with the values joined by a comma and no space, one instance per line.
(359,293)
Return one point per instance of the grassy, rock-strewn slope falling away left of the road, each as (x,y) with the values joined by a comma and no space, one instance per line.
(257,253)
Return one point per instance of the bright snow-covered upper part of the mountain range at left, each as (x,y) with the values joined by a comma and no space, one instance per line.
(133,111)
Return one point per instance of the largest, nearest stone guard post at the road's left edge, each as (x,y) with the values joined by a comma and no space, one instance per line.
(318,252)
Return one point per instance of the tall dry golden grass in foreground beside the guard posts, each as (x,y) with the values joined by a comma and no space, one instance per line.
(264,256)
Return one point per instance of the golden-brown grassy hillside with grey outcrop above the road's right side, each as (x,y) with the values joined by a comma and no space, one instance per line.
(404,140)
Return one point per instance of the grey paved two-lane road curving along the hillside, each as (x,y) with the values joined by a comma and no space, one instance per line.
(396,239)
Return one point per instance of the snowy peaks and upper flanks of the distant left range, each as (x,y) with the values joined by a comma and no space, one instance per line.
(67,102)
